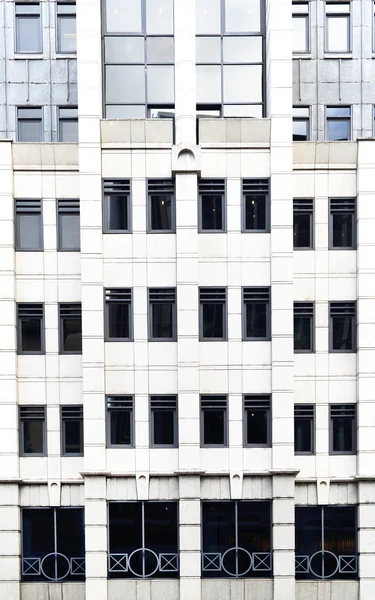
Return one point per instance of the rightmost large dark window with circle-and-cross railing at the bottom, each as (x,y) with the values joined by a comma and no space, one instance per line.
(326,542)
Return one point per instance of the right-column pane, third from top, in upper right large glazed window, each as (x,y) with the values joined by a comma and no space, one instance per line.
(242,83)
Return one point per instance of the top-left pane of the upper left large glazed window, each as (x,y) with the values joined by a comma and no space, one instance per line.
(124,16)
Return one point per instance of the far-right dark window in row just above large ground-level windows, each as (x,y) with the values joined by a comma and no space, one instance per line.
(342,429)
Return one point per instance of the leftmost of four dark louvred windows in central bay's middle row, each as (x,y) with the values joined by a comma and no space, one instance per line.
(118,315)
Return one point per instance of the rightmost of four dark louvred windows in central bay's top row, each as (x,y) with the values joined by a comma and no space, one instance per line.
(255,212)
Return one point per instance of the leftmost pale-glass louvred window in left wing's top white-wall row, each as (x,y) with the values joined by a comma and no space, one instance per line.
(29,226)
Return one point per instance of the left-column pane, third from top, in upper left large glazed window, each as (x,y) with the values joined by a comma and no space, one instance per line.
(125,83)
